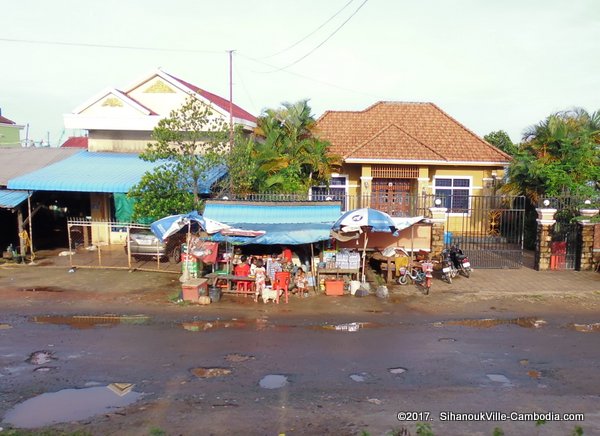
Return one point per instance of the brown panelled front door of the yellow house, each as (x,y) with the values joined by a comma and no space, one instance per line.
(391,196)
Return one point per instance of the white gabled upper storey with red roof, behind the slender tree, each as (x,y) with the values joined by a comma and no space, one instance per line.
(123,120)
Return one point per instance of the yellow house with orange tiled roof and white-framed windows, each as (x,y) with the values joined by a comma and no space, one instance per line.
(401,157)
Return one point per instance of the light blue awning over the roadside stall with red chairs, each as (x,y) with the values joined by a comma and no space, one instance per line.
(285,224)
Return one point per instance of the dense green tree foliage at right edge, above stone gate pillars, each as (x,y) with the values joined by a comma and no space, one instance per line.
(559,156)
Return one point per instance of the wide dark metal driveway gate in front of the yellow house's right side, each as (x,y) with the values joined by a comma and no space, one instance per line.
(490,231)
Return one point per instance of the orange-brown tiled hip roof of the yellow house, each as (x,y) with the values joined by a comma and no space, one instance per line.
(404,131)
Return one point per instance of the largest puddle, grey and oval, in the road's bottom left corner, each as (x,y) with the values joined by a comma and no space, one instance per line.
(68,405)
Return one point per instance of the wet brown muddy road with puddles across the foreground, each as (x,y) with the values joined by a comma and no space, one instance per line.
(115,344)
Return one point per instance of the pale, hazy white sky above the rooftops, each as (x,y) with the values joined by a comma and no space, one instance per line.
(491,65)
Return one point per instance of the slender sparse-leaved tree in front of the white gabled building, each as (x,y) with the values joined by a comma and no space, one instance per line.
(189,143)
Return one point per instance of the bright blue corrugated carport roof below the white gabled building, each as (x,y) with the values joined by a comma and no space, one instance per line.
(96,172)
